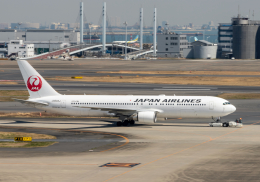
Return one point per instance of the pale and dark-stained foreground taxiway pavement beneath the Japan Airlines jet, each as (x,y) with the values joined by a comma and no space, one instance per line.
(172,150)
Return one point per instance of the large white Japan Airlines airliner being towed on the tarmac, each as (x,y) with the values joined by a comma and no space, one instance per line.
(128,108)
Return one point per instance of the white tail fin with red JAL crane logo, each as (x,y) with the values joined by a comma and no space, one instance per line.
(35,83)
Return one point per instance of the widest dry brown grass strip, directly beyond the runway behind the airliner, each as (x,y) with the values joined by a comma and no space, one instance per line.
(180,80)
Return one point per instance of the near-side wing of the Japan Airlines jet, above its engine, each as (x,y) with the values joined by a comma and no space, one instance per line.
(119,111)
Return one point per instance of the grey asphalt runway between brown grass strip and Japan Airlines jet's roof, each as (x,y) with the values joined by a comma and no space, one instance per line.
(99,88)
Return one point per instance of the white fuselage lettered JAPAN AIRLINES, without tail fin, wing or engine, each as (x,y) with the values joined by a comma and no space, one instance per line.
(165,106)
